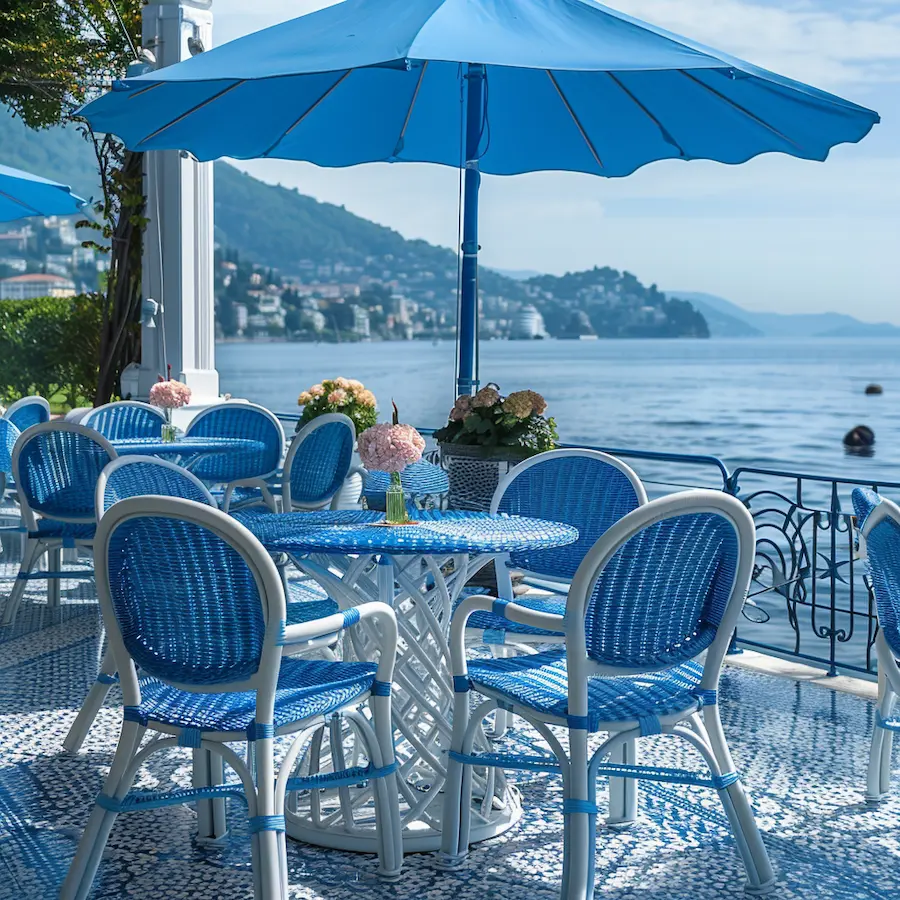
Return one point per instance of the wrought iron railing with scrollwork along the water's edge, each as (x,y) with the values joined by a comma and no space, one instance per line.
(810,599)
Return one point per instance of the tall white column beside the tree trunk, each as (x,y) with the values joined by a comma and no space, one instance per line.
(178,244)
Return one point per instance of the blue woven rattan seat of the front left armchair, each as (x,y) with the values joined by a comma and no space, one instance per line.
(305,688)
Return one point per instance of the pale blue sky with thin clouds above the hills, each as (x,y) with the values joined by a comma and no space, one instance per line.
(776,234)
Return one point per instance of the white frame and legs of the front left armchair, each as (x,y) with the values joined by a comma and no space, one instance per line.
(265,787)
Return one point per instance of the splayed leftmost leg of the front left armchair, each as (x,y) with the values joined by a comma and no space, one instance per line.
(84,867)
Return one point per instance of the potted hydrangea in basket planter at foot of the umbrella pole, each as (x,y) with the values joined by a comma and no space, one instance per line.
(488,434)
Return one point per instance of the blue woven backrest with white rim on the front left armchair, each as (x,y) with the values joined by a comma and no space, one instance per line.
(189,595)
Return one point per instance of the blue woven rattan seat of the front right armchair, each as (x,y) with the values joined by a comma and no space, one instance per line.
(540,682)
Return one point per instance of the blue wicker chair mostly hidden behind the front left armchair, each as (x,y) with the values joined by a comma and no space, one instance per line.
(141,476)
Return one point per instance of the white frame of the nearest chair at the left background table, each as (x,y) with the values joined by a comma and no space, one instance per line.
(35,547)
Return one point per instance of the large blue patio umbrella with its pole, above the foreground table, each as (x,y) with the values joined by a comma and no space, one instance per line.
(491,86)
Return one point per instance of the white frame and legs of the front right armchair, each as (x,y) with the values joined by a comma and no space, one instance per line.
(703,730)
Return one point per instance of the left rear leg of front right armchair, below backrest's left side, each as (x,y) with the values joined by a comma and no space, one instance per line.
(578,831)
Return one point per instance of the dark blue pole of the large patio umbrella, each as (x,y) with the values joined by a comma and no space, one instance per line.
(467,326)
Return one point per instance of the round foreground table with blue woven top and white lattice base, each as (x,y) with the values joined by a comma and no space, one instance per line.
(420,570)
